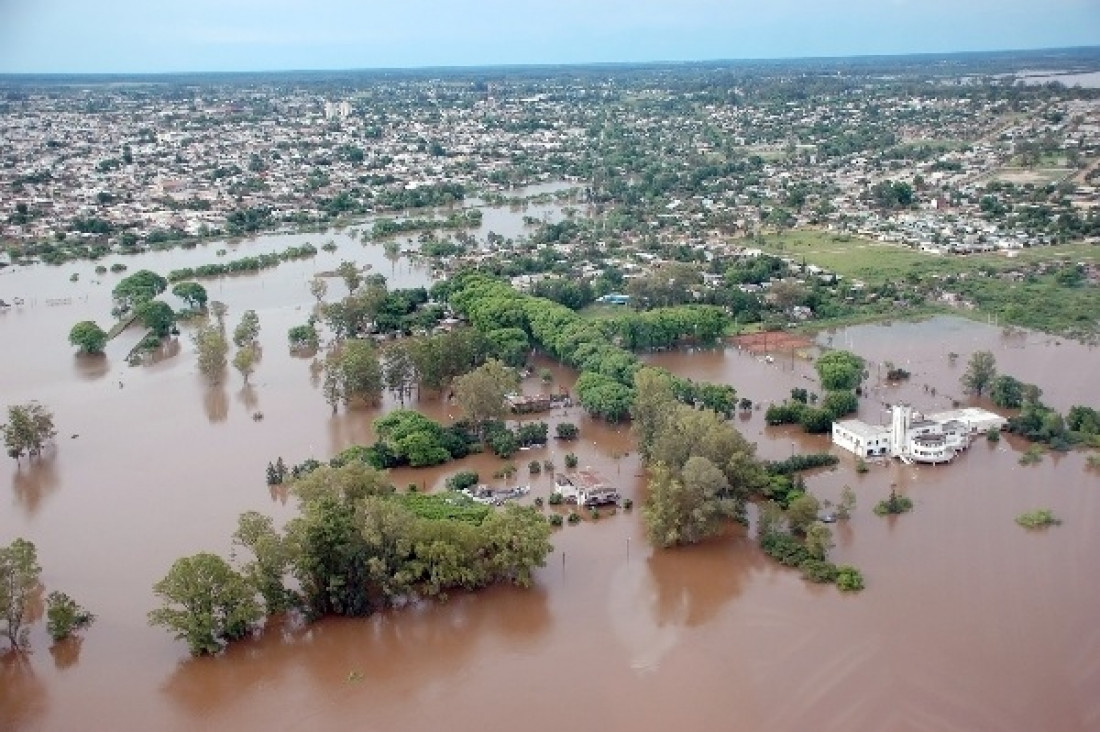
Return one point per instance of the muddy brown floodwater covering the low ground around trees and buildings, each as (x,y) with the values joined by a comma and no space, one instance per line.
(969,622)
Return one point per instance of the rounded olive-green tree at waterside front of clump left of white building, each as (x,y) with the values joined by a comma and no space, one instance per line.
(686,509)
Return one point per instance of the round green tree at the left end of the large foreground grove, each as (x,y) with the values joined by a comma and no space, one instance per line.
(206,604)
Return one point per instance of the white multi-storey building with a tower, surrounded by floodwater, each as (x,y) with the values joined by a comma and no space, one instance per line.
(915,438)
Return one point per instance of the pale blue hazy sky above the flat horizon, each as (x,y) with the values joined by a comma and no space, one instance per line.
(181,36)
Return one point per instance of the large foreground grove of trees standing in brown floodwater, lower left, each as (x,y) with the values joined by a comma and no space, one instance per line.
(356,548)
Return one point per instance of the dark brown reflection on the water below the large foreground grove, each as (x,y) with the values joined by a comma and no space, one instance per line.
(399,653)
